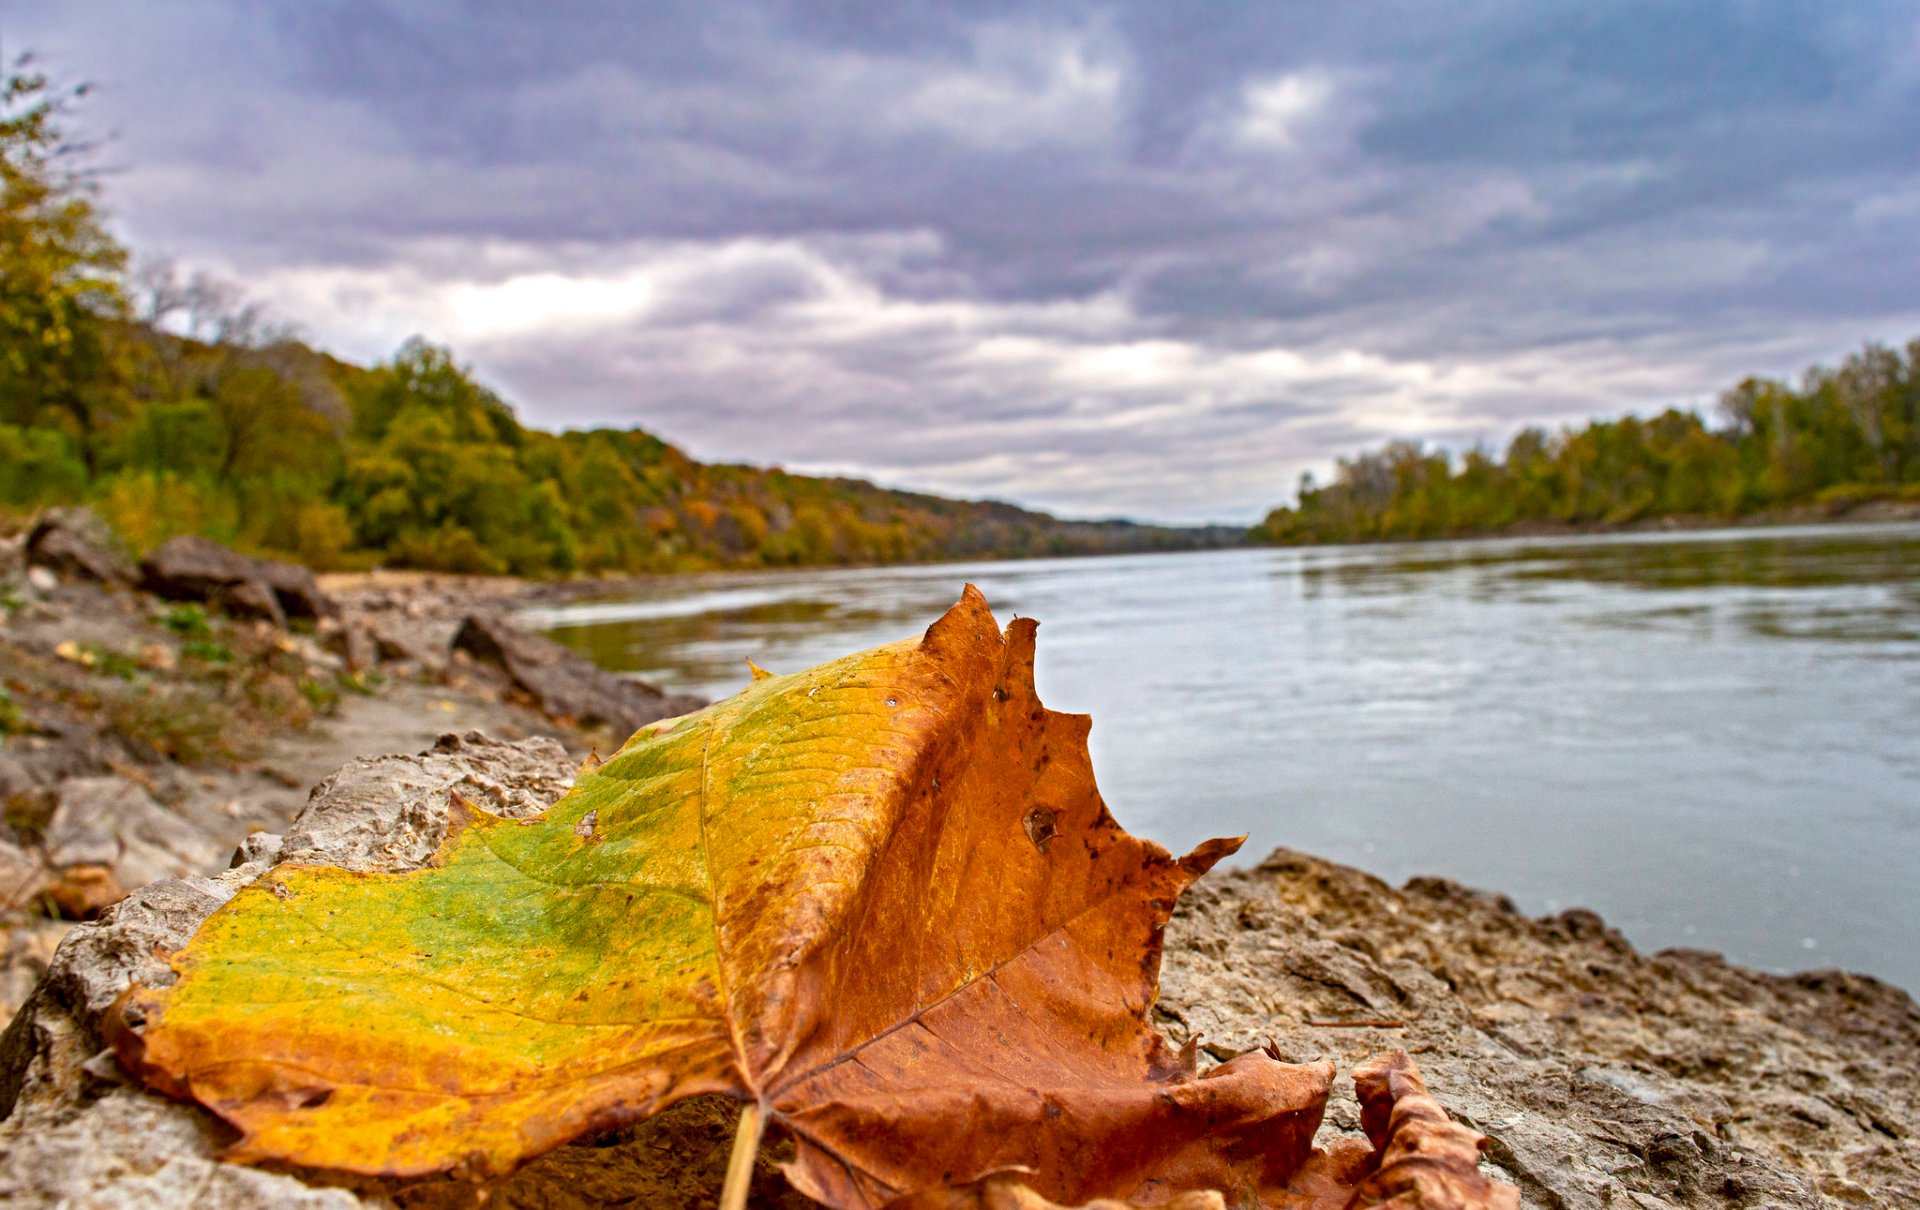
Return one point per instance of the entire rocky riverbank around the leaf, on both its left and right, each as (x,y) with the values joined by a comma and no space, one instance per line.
(153,742)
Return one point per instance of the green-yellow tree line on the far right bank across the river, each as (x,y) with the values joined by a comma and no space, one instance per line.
(1846,437)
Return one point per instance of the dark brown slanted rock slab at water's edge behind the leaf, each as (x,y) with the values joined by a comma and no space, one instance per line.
(565,685)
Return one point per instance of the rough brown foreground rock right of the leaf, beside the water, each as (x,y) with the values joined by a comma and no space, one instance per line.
(1602,1077)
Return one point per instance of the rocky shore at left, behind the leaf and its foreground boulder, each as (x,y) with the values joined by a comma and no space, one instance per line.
(156,715)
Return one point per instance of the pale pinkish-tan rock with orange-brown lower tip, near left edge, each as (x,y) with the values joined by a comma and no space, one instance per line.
(114,836)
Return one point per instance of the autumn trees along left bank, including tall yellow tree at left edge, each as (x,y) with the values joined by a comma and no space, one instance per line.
(176,408)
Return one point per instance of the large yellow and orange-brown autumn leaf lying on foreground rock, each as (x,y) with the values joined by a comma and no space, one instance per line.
(882,902)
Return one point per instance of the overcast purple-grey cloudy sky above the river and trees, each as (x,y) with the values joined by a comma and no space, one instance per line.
(1147,260)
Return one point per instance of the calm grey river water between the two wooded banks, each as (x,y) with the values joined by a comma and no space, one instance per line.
(1710,738)
